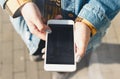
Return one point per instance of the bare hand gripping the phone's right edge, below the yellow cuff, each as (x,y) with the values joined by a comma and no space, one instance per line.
(82,37)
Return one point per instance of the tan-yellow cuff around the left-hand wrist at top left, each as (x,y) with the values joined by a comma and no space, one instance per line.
(14,9)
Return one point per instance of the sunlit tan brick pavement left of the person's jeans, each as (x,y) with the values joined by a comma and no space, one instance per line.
(14,58)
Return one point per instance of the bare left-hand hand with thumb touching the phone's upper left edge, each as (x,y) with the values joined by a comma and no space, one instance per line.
(33,18)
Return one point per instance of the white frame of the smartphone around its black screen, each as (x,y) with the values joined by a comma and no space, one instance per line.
(59,67)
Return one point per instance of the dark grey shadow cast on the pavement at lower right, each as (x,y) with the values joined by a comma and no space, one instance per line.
(105,53)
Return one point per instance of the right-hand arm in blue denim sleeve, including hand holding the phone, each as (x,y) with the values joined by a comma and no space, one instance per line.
(97,12)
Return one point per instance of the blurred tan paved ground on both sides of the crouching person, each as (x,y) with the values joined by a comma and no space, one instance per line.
(103,63)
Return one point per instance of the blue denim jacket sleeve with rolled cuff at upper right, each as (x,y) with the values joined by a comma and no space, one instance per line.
(100,12)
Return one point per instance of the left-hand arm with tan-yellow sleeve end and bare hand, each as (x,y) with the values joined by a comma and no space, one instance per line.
(32,15)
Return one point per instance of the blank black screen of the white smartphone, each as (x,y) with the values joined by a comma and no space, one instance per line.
(60,45)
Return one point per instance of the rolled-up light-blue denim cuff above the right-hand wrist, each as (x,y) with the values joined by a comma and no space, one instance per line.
(95,16)
